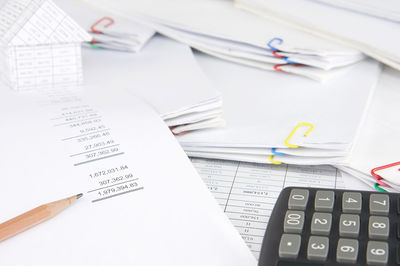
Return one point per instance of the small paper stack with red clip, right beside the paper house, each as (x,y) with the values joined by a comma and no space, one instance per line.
(108,30)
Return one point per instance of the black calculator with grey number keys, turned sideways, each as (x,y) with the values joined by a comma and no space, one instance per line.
(313,227)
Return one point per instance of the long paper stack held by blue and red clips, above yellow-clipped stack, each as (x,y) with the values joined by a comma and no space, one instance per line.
(217,28)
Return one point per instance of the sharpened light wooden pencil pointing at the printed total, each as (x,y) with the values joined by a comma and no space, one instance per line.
(35,216)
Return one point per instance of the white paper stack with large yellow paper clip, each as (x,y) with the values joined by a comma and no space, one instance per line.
(262,110)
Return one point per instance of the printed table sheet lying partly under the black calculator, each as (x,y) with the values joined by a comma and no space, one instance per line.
(247,192)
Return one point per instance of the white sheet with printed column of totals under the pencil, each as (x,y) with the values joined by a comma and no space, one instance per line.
(143,202)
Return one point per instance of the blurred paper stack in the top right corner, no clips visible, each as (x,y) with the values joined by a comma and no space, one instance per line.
(368,26)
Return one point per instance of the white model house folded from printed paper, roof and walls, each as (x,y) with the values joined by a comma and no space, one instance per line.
(40,45)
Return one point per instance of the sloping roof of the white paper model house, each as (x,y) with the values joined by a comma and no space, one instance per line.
(34,22)
